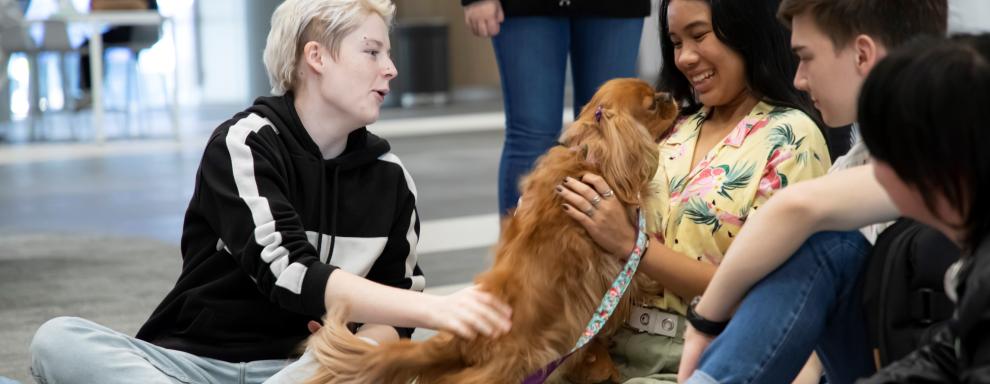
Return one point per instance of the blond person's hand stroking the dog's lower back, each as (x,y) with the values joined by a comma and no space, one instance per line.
(470,312)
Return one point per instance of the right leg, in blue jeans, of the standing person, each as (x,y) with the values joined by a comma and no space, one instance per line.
(602,49)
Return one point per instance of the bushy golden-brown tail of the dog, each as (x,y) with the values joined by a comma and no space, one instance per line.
(342,357)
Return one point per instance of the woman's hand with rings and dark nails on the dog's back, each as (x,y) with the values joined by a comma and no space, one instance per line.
(592,203)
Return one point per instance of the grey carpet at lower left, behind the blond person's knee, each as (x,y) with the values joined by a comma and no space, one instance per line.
(114,281)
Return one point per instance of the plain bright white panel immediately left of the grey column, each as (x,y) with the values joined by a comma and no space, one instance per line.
(224,51)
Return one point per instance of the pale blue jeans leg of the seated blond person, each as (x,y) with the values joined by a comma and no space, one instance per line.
(74,350)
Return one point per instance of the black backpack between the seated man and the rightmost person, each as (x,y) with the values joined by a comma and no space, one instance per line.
(903,288)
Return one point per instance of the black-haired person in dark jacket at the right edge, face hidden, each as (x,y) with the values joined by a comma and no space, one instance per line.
(923,117)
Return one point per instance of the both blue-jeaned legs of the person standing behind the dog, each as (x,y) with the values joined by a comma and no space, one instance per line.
(532,59)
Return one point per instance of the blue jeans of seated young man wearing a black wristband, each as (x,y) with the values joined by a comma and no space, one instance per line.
(812,302)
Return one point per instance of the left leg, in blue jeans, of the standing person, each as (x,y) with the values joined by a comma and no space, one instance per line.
(532,58)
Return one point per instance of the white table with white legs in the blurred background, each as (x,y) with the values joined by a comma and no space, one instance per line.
(96,21)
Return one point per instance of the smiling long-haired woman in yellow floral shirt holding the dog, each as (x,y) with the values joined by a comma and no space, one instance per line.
(745,133)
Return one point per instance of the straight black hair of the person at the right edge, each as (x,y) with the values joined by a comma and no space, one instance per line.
(925,111)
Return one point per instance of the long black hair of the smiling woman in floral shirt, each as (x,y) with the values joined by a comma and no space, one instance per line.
(751,29)
